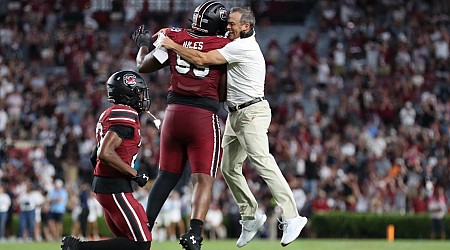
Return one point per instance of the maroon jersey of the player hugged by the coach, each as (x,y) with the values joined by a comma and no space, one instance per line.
(189,79)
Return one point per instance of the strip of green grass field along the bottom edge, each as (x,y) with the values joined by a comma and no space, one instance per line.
(300,244)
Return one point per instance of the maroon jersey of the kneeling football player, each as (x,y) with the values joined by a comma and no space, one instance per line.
(128,150)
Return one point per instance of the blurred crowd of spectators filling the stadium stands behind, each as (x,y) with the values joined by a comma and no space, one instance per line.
(360,123)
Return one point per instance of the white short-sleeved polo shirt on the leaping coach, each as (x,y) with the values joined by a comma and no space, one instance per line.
(246,70)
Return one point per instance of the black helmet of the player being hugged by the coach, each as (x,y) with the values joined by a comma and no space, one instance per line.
(210,18)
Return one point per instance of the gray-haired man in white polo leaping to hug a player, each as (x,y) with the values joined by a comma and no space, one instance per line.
(247,125)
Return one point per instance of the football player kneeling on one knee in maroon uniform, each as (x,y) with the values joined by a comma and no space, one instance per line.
(118,142)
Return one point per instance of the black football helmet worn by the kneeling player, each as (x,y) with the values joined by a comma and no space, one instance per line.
(128,88)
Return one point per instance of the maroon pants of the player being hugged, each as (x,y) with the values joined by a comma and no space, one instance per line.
(190,133)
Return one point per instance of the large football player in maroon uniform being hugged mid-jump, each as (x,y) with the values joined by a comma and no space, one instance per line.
(190,130)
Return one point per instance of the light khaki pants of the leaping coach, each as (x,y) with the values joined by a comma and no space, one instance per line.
(246,136)
